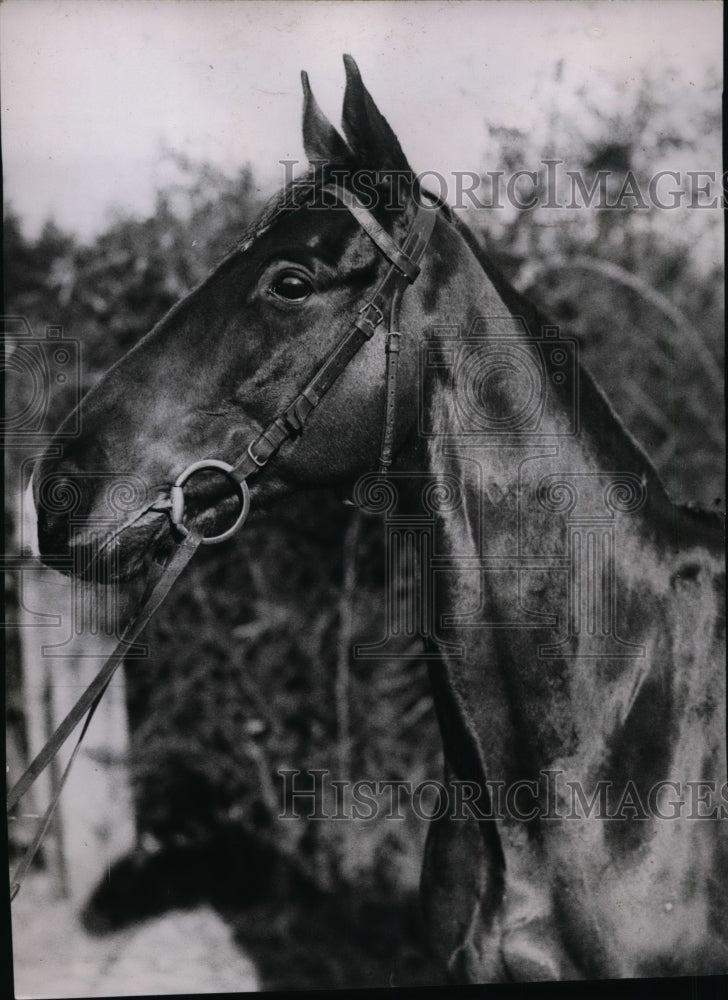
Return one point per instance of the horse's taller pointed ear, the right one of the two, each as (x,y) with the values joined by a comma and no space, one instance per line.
(369,134)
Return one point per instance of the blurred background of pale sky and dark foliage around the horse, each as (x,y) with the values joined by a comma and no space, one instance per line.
(138,142)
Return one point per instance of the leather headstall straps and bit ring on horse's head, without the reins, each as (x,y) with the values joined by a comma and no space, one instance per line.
(404,268)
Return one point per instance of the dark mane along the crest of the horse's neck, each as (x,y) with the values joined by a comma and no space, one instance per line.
(700,520)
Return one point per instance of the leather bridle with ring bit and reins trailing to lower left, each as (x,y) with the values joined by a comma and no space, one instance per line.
(386,300)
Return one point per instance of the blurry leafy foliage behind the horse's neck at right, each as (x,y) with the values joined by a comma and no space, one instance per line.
(641,288)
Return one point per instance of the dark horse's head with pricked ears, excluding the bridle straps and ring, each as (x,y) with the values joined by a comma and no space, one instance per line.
(234,352)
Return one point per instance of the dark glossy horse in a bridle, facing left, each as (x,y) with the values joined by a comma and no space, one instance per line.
(572,612)
